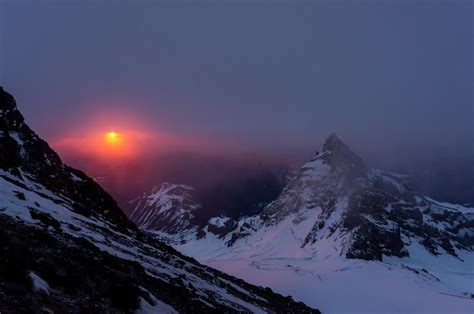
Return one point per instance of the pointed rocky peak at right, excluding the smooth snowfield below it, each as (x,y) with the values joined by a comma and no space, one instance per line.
(371,214)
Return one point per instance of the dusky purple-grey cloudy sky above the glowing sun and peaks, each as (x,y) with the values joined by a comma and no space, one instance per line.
(279,75)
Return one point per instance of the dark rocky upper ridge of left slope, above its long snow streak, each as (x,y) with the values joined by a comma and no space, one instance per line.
(23,151)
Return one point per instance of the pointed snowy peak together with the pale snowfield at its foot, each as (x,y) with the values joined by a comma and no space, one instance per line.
(338,224)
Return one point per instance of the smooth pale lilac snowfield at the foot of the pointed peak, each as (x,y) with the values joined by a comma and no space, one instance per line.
(318,276)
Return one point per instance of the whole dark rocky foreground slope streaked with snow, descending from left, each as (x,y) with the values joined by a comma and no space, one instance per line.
(68,248)
